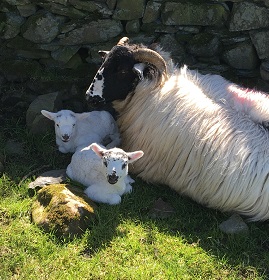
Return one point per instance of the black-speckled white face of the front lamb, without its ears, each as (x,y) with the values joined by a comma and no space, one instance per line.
(116,166)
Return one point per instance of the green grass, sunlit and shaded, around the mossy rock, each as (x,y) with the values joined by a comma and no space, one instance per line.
(124,242)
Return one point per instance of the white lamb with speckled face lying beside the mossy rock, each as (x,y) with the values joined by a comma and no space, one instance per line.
(104,172)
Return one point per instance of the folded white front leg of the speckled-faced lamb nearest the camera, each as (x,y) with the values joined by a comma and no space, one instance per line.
(99,194)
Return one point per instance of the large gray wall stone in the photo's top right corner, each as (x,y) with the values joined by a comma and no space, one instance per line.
(247,16)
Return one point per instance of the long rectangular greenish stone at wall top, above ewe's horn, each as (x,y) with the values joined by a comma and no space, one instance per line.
(187,13)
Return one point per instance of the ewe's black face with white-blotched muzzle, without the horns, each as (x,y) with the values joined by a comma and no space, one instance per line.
(115,79)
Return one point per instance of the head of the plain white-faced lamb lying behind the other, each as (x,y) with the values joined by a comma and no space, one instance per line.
(65,122)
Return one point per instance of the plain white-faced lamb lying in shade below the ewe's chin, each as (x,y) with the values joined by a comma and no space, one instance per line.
(76,130)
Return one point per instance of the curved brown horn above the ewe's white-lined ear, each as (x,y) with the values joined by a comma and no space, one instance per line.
(150,56)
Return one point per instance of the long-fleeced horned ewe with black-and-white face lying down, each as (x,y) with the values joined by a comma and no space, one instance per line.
(203,136)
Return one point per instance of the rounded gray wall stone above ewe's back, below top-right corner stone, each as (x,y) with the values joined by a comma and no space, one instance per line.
(241,56)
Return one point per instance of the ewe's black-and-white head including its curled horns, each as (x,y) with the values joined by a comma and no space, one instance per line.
(121,71)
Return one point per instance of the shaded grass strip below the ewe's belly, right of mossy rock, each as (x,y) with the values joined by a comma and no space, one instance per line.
(193,222)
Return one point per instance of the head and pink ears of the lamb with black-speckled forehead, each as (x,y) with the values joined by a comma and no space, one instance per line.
(115,161)
